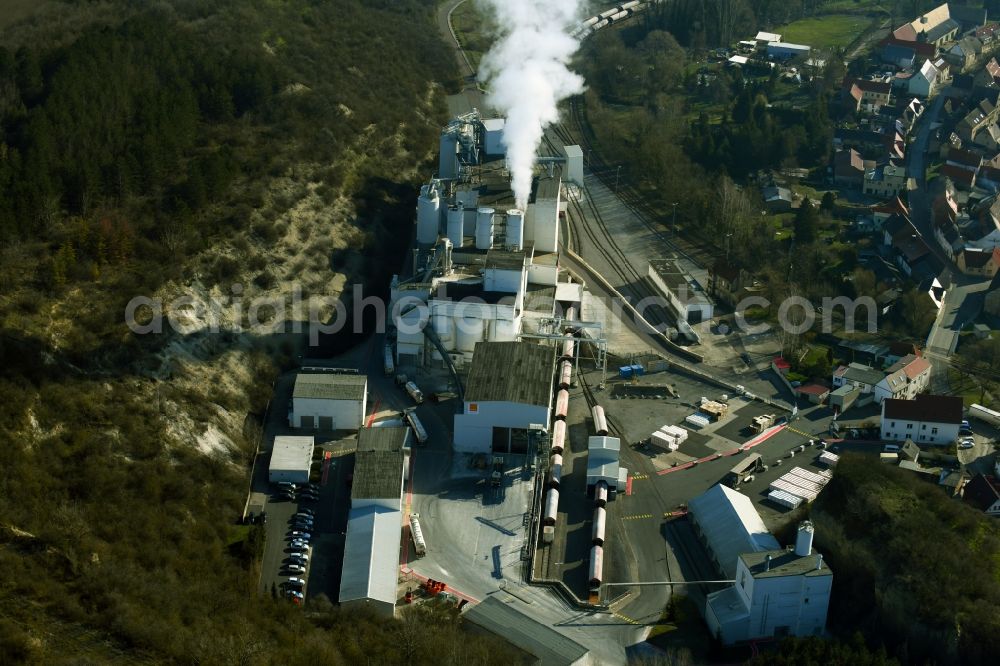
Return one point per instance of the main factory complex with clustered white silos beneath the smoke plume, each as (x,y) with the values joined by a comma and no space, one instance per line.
(484,270)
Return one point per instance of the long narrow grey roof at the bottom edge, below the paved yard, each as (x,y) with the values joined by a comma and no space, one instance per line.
(546,644)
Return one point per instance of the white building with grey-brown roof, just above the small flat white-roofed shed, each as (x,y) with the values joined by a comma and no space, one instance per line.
(329,401)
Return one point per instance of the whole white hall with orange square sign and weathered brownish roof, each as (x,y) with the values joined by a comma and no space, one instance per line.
(509,389)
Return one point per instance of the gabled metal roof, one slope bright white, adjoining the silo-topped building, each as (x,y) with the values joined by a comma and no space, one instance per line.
(731,526)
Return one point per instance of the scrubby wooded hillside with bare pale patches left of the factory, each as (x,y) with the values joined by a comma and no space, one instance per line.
(180,148)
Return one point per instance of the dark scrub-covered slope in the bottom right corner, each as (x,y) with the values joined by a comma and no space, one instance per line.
(914,571)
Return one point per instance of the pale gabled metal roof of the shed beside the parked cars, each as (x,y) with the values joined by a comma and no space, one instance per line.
(371,555)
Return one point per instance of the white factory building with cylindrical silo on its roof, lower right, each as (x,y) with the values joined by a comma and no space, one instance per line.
(777,593)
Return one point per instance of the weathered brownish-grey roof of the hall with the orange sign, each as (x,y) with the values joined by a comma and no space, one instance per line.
(519,372)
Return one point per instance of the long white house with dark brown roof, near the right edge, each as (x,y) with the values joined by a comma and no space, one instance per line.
(926,420)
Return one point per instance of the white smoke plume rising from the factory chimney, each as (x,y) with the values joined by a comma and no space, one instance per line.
(528,73)
